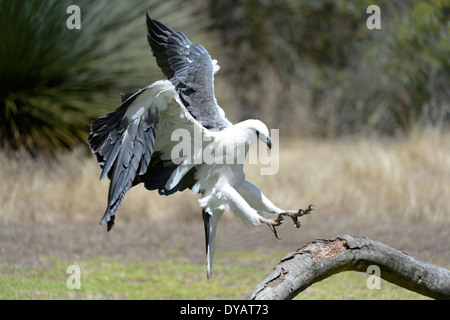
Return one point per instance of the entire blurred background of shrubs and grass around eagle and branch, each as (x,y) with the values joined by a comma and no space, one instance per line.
(309,68)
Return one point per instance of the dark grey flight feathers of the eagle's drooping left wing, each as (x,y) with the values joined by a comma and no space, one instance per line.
(124,148)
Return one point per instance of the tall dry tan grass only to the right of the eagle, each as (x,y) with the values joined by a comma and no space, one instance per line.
(407,177)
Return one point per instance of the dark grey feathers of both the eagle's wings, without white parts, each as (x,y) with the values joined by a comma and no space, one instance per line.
(124,143)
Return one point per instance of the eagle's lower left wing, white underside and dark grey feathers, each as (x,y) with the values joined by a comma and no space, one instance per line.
(133,143)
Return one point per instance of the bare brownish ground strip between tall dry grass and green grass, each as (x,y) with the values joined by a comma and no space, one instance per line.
(28,243)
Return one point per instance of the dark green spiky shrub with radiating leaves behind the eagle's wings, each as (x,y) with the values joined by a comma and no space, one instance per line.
(55,81)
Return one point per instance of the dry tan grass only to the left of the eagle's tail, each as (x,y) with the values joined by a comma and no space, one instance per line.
(69,189)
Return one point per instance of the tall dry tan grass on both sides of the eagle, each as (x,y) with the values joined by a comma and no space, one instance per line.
(408,178)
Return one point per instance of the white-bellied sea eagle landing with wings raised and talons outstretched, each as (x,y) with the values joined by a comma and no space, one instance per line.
(134,143)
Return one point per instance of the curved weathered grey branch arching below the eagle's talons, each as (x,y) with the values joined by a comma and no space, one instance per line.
(322,258)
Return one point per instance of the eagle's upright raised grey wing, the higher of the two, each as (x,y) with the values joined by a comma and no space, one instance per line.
(191,70)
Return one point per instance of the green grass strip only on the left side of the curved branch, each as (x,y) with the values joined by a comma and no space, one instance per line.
(111,278)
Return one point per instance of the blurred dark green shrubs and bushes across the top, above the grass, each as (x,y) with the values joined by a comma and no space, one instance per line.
(305,67)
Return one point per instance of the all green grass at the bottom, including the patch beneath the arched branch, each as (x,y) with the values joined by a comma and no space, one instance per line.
(234,277)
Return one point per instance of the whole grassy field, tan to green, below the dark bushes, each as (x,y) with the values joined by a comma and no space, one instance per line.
(395,191)
